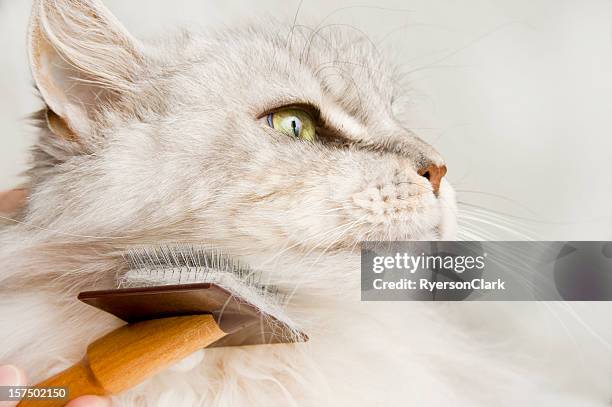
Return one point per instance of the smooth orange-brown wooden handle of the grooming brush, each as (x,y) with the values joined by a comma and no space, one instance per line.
(128,355)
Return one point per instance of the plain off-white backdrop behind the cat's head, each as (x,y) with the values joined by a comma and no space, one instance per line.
(517,94)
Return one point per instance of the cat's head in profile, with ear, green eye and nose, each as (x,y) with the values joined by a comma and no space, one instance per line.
(254,139)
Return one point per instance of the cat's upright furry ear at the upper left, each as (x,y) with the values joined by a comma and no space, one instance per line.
(82,59)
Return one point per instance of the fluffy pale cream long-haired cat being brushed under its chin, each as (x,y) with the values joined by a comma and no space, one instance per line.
(275,143)
